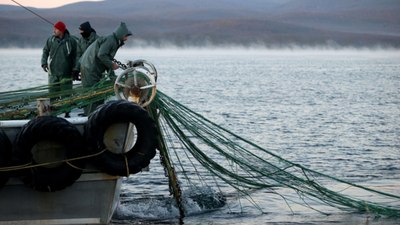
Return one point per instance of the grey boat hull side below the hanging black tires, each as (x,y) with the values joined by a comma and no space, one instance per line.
(92,199)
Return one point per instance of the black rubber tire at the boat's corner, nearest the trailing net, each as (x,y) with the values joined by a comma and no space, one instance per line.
(143,150)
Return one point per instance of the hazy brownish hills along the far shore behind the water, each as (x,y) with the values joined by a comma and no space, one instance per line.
(357,23)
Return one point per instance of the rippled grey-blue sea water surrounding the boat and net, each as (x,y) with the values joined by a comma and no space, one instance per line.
(336,112)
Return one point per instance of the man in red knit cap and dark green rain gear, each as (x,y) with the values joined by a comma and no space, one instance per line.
(59,59)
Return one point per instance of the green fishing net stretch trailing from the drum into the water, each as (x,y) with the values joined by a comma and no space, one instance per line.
(199,148)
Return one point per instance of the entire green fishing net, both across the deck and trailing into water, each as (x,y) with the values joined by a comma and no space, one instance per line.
(195,151)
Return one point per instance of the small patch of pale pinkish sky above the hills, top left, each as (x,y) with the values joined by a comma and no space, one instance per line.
(41,3)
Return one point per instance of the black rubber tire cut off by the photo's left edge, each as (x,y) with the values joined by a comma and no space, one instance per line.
(5,157)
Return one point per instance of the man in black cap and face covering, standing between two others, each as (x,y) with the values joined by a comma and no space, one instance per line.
(88,36)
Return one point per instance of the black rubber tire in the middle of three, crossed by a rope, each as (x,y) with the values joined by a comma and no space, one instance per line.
(54,129)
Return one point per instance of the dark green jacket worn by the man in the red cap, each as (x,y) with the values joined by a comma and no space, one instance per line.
(60,55)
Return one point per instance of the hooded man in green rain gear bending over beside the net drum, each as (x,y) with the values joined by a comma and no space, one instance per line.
(98,58)
